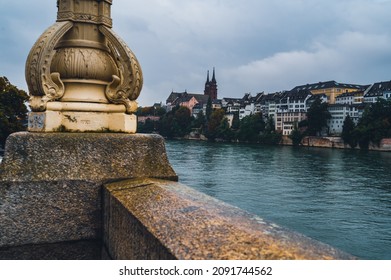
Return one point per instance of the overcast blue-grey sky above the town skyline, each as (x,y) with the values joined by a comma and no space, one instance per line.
(255,45)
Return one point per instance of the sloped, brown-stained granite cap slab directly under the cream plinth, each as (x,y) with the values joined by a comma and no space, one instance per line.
(84,156)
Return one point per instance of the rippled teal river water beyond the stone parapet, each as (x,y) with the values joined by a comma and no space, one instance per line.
(339,197)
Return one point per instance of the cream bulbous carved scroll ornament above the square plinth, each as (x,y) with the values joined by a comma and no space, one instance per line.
(79,52)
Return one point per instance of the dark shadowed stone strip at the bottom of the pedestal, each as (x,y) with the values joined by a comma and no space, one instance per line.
(79,250)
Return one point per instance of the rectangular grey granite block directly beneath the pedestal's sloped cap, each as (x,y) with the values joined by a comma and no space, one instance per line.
(49,212)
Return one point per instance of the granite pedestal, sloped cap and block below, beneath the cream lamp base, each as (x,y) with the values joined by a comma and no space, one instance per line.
(50,183)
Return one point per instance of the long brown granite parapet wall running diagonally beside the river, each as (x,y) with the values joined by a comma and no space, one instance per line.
(152,219)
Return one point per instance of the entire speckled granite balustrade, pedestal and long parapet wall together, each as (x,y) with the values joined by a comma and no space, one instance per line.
(115,196)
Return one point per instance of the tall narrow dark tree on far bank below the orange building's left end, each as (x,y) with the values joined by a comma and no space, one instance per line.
(317,116)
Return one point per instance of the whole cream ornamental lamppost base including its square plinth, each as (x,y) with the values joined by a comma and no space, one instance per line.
(81,75)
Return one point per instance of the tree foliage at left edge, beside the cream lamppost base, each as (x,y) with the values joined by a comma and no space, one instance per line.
(13,111)
